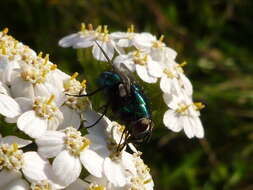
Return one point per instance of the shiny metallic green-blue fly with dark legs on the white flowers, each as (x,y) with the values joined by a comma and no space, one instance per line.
(126,99)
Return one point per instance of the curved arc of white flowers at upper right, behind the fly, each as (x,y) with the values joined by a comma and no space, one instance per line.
(151,59)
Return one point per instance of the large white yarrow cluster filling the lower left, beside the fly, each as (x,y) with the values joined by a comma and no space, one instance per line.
(33,96)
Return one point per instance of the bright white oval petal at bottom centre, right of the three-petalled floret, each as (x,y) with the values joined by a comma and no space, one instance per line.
(114,173)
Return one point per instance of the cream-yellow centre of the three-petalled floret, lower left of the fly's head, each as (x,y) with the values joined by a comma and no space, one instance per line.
(74,142)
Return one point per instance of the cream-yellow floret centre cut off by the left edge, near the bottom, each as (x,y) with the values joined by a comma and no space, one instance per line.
(11,157)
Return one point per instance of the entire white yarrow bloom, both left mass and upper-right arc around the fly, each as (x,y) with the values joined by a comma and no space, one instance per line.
(43,102)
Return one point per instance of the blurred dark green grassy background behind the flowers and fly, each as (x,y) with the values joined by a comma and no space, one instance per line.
(214,37)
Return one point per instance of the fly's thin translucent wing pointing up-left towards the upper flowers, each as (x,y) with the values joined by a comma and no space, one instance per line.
(121,71)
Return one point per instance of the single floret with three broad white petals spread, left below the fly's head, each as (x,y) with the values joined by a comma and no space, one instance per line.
(72,150)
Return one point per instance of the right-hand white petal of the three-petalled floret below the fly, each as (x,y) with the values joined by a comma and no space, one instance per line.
(92,162)
